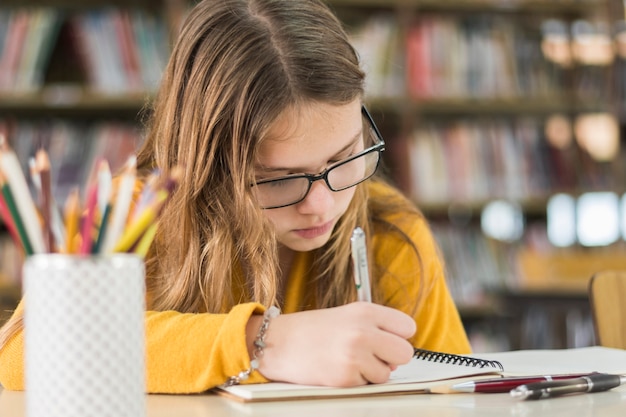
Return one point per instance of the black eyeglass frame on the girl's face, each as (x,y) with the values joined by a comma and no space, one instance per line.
(378,147)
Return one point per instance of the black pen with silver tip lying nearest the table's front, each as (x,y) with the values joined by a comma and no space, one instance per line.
(594,382)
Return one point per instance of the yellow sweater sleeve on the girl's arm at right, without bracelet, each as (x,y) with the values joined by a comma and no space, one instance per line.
(424,297)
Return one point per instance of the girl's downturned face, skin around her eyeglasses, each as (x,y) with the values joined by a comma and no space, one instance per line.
(306,140)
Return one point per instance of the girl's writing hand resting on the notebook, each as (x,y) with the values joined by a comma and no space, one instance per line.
(342,346)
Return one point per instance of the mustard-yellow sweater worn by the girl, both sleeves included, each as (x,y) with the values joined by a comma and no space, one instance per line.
(187,353)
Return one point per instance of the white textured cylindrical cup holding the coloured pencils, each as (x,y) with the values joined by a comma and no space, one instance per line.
(84,335)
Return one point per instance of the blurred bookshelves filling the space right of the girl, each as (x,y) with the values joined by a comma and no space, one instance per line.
(468,95)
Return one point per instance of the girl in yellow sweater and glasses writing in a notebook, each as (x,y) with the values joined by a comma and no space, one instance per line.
(262,104)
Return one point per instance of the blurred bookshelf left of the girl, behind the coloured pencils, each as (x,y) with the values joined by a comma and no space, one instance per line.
(76,78)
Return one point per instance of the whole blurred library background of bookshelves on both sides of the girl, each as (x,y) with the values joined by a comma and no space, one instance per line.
(504,121)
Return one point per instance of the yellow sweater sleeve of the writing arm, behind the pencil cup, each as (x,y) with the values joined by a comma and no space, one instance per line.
(185,353)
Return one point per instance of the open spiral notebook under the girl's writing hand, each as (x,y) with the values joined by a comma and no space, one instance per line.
(426,370)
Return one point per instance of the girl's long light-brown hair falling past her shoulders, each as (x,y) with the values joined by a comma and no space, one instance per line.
(236,66)
